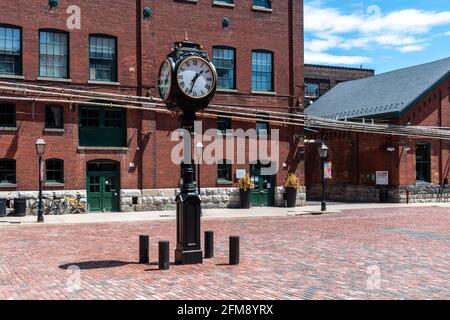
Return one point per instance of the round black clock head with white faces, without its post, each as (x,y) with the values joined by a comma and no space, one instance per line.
(187,79)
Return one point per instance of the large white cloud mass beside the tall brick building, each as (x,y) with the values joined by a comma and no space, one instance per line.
(405,31)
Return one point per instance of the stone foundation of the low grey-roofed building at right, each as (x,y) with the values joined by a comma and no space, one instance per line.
(420,193)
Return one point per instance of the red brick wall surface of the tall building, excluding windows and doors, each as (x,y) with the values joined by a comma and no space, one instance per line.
(249,30)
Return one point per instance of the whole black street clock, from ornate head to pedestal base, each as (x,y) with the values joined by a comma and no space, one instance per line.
(177,92)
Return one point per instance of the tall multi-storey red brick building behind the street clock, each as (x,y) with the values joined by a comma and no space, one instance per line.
(120,158)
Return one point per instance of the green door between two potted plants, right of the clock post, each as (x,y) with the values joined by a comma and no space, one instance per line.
(263,193)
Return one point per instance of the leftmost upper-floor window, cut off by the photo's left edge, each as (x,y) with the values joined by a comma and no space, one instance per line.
(10,50)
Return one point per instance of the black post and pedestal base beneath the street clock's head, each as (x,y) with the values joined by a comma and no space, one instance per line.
(188,249)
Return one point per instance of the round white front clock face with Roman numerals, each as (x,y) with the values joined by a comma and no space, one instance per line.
(196,77)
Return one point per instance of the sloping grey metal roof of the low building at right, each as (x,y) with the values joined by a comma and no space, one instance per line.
(390,93)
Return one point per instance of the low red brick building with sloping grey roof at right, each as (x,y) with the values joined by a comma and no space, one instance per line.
(418,168)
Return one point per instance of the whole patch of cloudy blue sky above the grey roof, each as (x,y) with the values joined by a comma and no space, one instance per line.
(381,34)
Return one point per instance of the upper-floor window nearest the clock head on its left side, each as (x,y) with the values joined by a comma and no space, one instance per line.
(103,58)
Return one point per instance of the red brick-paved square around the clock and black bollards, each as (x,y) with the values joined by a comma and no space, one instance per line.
(363,254)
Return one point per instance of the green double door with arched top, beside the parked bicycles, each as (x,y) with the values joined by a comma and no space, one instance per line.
(103,186)
